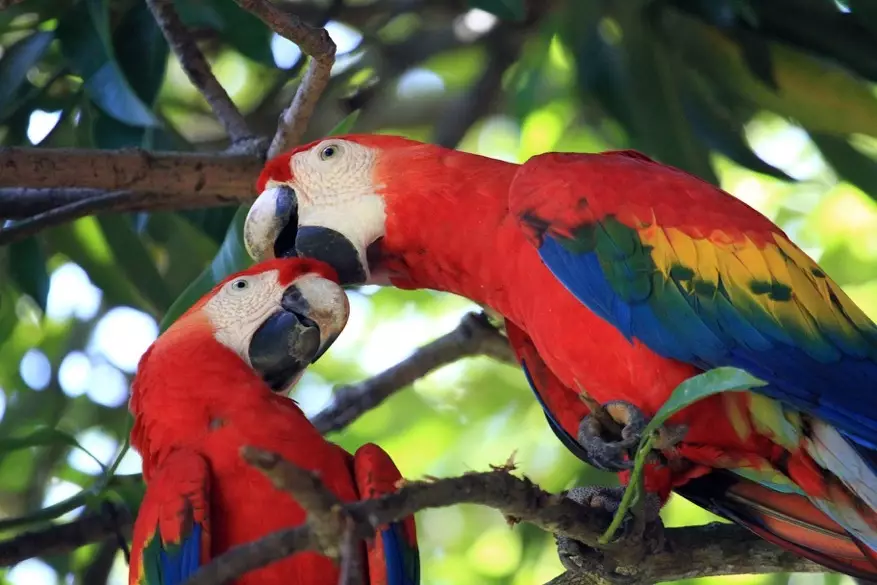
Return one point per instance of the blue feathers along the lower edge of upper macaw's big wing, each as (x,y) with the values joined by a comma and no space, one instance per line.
(793,374)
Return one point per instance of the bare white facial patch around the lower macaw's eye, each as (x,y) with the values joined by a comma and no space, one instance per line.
(240,308)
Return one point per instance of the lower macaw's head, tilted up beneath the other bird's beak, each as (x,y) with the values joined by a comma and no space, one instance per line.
(278,316)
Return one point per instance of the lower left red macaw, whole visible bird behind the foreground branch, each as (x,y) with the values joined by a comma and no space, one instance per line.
(211,384)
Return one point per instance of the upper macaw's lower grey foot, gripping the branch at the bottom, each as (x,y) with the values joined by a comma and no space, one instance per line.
(641,533)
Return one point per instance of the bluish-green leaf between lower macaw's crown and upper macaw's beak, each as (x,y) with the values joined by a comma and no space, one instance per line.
(232,257)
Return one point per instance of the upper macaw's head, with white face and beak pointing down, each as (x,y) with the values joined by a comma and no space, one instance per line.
(330,199)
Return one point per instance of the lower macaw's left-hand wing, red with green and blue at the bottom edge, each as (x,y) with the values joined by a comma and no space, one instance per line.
(172,532)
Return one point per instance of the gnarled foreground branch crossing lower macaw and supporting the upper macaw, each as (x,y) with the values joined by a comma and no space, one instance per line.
(713,549)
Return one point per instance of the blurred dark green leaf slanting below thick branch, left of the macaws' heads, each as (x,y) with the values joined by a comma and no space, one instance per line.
(134,260)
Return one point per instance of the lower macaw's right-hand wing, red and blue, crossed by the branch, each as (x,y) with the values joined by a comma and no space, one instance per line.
(393,559)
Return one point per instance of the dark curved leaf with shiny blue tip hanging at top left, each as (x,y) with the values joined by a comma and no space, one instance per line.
(85,41)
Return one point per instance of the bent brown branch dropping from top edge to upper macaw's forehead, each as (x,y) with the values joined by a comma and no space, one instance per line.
(313,42)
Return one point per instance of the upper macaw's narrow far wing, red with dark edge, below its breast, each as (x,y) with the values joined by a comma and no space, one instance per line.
(563,409)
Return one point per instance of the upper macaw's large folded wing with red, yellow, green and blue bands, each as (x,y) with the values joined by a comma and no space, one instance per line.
(698,276)
